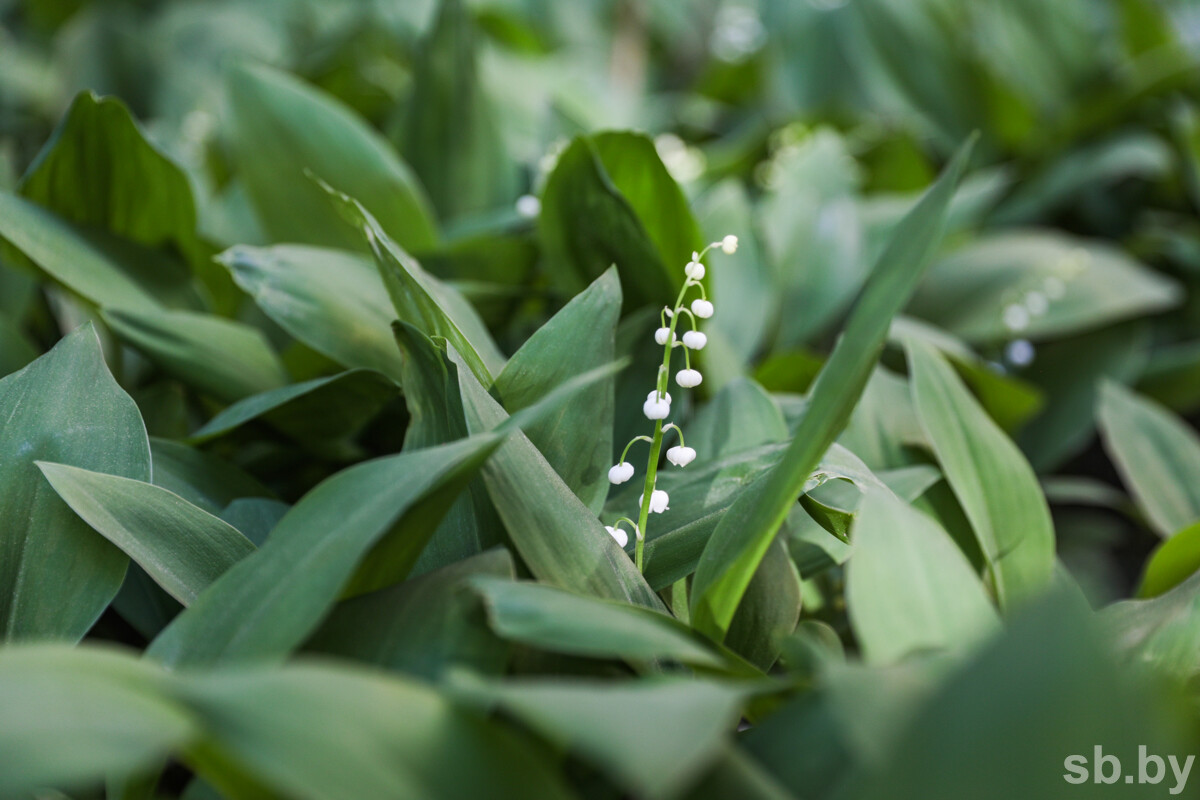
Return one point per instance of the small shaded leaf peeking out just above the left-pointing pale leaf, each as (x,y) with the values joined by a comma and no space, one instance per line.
(201,478)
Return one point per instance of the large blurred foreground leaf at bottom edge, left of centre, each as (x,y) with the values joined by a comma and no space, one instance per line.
(329,733)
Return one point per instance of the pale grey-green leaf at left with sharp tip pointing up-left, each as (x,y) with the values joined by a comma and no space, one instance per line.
(182,548)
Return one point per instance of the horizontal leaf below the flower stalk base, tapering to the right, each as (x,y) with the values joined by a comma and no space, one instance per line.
(551,619)
